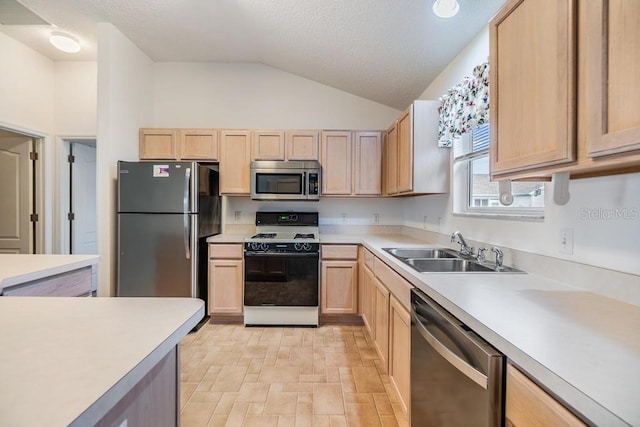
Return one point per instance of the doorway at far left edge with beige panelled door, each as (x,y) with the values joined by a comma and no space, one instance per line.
(19,228)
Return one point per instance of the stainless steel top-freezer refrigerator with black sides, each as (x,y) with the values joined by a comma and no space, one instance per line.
(166,210)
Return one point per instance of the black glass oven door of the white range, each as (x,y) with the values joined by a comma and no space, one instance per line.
(281,279)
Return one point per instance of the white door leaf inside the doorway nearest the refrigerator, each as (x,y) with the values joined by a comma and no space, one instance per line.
(83,200)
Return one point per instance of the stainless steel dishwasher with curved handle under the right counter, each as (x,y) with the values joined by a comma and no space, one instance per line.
(457,378)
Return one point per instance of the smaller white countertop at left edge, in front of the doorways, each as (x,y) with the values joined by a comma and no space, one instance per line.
(20,268)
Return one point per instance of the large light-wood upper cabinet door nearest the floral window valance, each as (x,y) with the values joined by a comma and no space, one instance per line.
(533,85)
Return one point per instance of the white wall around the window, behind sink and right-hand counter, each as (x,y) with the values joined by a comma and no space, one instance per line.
(606,242)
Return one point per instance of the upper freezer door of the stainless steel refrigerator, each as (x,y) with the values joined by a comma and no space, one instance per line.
(163,187)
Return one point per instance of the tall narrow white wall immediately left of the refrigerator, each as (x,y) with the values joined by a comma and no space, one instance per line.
(125,89)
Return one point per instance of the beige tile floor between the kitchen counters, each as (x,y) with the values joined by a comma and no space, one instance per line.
(327,376)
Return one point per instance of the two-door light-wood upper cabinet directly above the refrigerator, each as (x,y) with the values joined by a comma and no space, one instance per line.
(178,144)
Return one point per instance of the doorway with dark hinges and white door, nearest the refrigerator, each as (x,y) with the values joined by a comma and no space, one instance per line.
(78,215)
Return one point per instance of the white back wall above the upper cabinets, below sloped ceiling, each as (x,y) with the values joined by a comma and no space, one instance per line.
(254,96)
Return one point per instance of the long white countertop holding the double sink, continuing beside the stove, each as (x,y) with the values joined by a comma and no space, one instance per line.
(582,346)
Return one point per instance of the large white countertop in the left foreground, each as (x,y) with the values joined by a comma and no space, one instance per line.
(67,361)
